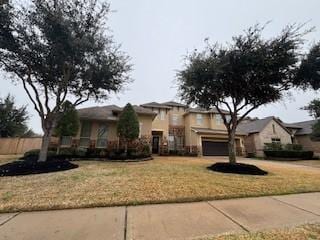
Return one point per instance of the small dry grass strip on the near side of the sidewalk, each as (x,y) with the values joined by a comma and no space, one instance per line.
(305,232)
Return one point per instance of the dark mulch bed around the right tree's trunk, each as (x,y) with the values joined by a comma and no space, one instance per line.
(238,168)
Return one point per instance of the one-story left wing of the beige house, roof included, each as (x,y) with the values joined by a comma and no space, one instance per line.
(98,126)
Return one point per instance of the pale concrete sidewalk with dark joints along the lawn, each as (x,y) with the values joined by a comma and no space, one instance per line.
(164,221)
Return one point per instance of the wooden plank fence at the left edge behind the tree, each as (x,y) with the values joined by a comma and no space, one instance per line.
(19,145)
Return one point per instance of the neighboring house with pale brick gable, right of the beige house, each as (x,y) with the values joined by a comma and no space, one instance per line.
(261,131)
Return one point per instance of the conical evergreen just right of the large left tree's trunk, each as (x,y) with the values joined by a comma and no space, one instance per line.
(69,123)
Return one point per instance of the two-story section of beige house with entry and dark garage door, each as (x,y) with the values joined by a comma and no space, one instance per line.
(177,127)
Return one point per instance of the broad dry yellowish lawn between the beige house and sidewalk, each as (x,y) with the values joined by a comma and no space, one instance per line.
(164,179)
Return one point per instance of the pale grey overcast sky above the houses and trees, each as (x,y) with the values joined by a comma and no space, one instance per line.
(157,34)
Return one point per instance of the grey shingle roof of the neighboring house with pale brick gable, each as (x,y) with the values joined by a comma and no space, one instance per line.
(257,126)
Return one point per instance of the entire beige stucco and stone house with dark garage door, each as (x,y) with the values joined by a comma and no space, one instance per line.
(168,126)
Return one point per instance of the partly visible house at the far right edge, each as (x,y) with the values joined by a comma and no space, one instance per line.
(302,135)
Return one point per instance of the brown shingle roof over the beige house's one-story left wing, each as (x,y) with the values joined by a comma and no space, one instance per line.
(107,112)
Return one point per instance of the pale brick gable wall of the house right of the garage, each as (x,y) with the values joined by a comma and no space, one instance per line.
(266,135)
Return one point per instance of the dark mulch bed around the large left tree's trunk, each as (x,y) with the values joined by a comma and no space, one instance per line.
(22,167)
